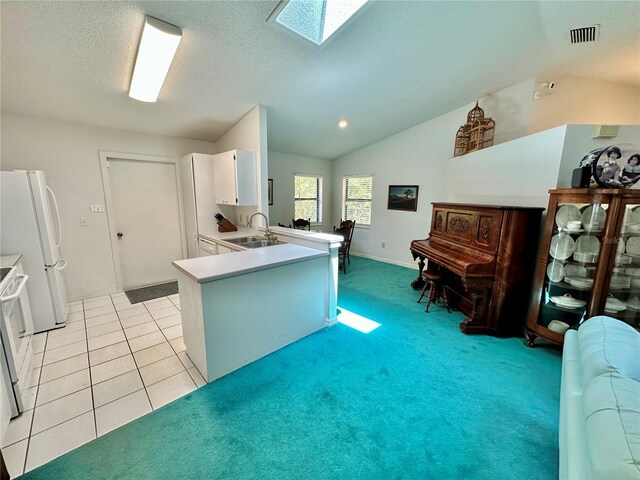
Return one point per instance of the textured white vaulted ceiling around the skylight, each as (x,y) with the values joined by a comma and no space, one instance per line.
(394,65)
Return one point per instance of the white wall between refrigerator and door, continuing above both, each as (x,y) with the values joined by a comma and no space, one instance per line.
(68,153)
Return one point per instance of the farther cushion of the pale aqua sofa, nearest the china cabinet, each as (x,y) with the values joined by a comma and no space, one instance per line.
(608,345)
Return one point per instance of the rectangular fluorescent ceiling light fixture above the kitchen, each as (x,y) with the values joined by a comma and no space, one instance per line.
(158,45)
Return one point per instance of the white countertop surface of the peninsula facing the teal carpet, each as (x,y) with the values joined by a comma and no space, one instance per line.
(216,267)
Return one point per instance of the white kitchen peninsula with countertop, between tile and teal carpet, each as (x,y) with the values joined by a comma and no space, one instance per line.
(241,306)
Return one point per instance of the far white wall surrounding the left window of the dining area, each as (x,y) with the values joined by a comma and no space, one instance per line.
(282,168)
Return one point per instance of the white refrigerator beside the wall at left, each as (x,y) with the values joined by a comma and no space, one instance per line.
(30,225)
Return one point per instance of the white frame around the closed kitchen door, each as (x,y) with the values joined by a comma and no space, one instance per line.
(105,156)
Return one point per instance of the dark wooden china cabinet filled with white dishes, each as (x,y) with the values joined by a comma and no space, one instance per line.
(589,261)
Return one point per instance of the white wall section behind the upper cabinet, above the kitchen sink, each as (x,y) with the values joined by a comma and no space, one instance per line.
(250,134)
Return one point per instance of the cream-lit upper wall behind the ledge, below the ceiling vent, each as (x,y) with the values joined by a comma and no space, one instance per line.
(576,100)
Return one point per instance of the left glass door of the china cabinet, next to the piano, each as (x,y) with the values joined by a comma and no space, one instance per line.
(574,252)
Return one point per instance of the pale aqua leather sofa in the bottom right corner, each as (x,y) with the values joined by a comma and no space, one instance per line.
(600,402)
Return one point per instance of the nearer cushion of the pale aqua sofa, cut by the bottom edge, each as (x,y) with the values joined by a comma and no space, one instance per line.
(611,404)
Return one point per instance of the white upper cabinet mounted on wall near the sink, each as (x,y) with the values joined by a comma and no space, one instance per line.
(235,178)
